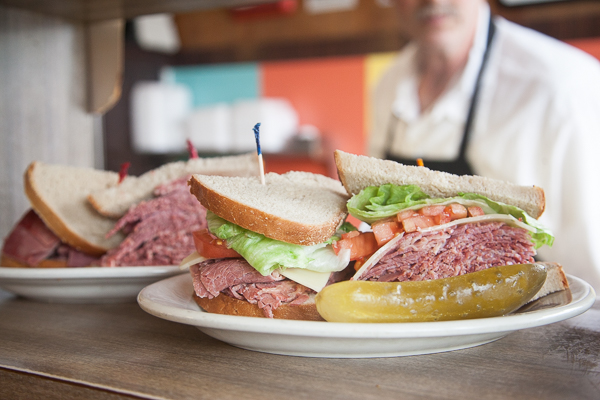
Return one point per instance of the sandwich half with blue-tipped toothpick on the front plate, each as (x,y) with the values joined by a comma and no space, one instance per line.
(268,247)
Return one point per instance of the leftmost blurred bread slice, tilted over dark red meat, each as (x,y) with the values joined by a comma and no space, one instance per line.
(58,194)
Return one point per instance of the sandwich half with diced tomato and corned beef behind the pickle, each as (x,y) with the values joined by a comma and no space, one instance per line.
(423,224)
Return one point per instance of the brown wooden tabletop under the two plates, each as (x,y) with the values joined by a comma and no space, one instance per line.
(61,351)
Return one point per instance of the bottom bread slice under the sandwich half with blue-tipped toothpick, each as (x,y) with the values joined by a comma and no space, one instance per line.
(223,304)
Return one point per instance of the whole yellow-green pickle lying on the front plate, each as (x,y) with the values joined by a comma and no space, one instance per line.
(489,293)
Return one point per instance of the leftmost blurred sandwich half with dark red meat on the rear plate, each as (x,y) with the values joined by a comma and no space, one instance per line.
(61,229)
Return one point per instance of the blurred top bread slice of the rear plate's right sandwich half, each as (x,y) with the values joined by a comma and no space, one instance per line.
(114,201)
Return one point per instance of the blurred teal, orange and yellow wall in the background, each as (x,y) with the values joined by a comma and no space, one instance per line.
(329,93)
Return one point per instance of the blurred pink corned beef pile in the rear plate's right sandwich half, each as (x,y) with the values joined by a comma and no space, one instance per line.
(159,231)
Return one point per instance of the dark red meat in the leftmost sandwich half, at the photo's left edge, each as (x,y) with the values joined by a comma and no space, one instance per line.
(32,243)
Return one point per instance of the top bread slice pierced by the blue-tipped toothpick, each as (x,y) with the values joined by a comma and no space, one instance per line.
(296,207)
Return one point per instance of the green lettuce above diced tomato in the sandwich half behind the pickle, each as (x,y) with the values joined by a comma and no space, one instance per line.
(377,202)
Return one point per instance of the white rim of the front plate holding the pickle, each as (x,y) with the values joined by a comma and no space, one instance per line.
(507,323)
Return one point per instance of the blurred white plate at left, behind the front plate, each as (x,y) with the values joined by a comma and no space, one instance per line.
(82,285)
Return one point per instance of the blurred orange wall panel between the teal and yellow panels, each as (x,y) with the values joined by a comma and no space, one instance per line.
(327,93)
